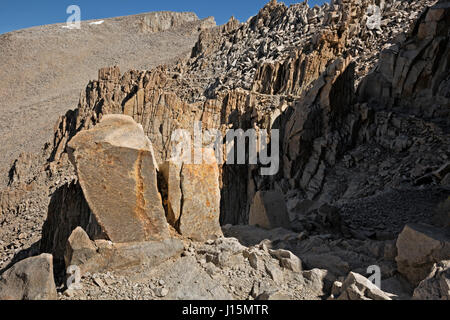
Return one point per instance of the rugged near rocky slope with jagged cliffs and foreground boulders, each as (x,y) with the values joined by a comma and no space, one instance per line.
(364,179)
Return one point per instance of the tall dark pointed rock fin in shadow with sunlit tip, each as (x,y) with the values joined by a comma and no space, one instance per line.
(320,128)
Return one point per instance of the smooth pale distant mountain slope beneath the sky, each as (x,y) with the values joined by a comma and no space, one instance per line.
(43,69)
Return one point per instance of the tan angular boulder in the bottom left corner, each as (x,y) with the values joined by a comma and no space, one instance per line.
(29,279)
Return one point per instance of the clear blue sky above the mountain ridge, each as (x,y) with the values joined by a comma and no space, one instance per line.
(19,14)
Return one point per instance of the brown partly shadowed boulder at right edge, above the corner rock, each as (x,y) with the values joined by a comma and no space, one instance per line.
(420,246)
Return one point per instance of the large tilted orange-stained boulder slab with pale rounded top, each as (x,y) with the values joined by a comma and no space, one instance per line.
(116,169)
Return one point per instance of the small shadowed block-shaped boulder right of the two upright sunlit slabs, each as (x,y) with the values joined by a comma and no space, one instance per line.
(268,210)
